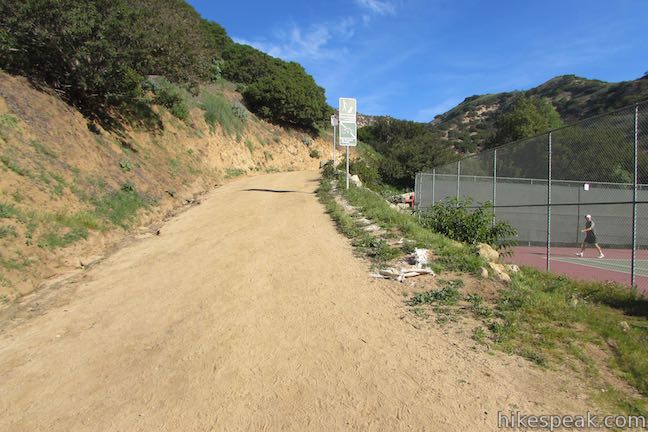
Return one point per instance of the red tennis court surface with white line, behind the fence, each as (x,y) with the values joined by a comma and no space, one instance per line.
(614,267)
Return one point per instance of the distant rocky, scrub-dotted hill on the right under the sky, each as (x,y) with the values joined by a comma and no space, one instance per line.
(471,123)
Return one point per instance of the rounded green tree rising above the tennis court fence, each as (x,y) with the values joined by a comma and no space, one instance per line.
(525,118)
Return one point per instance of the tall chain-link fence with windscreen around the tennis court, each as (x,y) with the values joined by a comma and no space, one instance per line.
(545,186)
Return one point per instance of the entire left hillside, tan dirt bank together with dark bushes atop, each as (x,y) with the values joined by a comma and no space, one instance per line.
(114,114)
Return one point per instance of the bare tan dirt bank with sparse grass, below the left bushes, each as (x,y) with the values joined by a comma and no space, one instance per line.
(70,189)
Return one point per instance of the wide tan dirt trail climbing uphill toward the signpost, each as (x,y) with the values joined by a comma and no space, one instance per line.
(250,312)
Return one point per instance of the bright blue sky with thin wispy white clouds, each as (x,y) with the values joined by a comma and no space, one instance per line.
(413,59)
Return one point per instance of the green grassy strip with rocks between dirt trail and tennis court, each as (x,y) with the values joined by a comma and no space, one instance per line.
(597,330)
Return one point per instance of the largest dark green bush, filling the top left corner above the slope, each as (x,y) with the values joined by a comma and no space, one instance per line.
(96,52)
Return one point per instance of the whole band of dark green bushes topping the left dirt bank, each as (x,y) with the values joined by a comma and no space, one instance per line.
(97,54)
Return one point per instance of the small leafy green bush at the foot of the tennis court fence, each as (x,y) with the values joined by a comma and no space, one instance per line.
(460,220)
